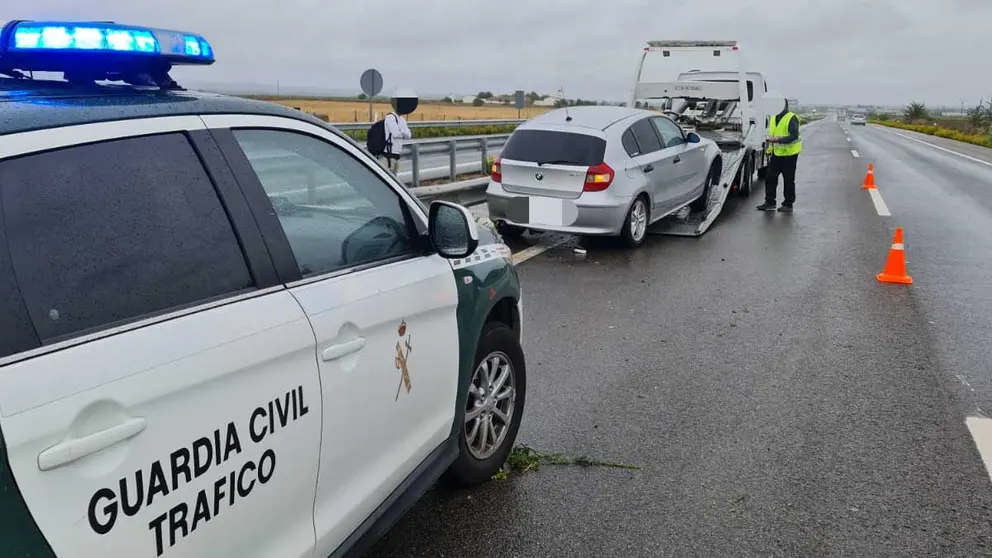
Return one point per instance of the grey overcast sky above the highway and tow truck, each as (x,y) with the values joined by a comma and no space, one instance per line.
(827,51)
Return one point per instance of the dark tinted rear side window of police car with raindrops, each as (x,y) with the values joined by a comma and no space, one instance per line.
(104,233)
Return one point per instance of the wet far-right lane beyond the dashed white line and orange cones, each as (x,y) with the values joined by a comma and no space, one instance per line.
(944,203)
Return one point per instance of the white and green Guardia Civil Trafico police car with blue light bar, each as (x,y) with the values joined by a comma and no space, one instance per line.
(226,330)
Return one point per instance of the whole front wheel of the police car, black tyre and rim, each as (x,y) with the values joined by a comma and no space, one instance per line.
(493,408)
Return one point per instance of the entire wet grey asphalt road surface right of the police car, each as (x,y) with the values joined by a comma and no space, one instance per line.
(778,401)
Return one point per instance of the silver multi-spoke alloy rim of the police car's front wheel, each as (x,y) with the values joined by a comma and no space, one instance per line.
(492,395)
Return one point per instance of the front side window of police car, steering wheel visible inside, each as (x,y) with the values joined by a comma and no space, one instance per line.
(336,212)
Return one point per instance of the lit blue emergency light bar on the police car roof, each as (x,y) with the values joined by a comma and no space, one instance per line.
(20,39)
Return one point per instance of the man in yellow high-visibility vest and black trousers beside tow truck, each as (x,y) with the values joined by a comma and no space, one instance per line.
(784,147)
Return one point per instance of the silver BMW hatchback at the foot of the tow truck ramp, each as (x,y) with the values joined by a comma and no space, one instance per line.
(599,171)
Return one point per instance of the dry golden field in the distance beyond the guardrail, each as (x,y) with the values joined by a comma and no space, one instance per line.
(358,111)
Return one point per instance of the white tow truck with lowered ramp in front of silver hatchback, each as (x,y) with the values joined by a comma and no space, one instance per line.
(710,104)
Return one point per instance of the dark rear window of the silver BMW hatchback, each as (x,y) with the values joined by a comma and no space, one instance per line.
(553,147)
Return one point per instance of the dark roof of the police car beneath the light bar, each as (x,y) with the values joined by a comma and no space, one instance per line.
(38,104)
